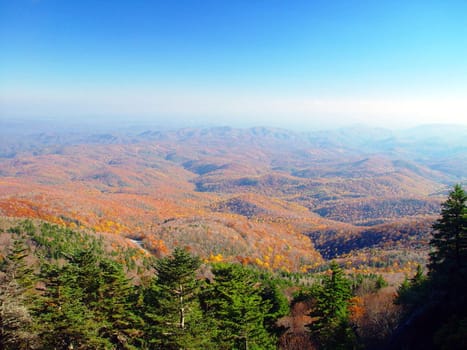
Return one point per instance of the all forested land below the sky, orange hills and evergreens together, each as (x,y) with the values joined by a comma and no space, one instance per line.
(224,238)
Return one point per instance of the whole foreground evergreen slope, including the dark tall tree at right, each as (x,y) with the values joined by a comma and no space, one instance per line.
(64,289)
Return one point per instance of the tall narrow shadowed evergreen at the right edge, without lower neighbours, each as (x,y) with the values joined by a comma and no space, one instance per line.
(448,270)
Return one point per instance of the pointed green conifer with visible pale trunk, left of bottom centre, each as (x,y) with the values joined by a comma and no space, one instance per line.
(173,315)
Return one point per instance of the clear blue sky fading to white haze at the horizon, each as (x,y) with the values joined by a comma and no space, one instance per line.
(297,64)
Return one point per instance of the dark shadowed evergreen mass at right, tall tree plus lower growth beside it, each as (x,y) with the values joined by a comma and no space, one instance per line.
(436,307)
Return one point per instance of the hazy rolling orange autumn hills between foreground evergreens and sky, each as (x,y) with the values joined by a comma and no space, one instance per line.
(261,188)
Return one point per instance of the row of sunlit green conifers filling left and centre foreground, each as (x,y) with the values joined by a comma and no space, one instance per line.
(72,294)
